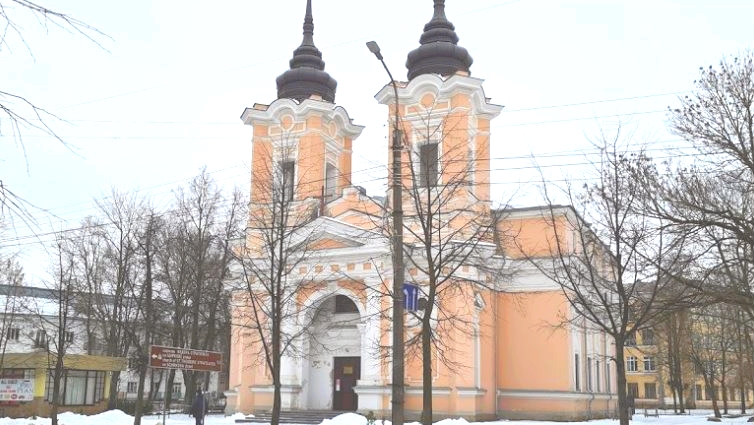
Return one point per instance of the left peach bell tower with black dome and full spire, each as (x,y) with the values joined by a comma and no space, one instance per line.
(302,141)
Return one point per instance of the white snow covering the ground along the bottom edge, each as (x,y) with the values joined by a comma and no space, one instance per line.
(117,417)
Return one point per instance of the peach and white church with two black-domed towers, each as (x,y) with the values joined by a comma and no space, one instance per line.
(504,341)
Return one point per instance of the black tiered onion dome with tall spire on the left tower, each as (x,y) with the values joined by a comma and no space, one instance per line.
(307,75)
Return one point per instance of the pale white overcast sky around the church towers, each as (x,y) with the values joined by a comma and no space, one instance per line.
(164,96)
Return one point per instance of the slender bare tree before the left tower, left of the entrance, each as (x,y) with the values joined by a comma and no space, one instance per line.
(278,241)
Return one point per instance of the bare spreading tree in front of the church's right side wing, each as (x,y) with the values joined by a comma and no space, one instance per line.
(611,260)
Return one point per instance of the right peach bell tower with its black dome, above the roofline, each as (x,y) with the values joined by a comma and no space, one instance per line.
(445,120)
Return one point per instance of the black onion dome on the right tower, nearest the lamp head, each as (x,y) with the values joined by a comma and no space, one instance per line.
(439,52)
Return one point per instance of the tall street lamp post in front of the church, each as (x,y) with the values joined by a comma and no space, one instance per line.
(397,246)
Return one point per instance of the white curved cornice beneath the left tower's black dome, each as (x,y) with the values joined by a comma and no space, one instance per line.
(300,111)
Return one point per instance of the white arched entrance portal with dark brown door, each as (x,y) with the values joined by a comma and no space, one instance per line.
(333,363)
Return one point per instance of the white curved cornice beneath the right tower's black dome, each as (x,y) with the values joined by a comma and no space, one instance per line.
(412,92)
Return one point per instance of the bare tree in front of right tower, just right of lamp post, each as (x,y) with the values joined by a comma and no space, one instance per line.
(450,241)
